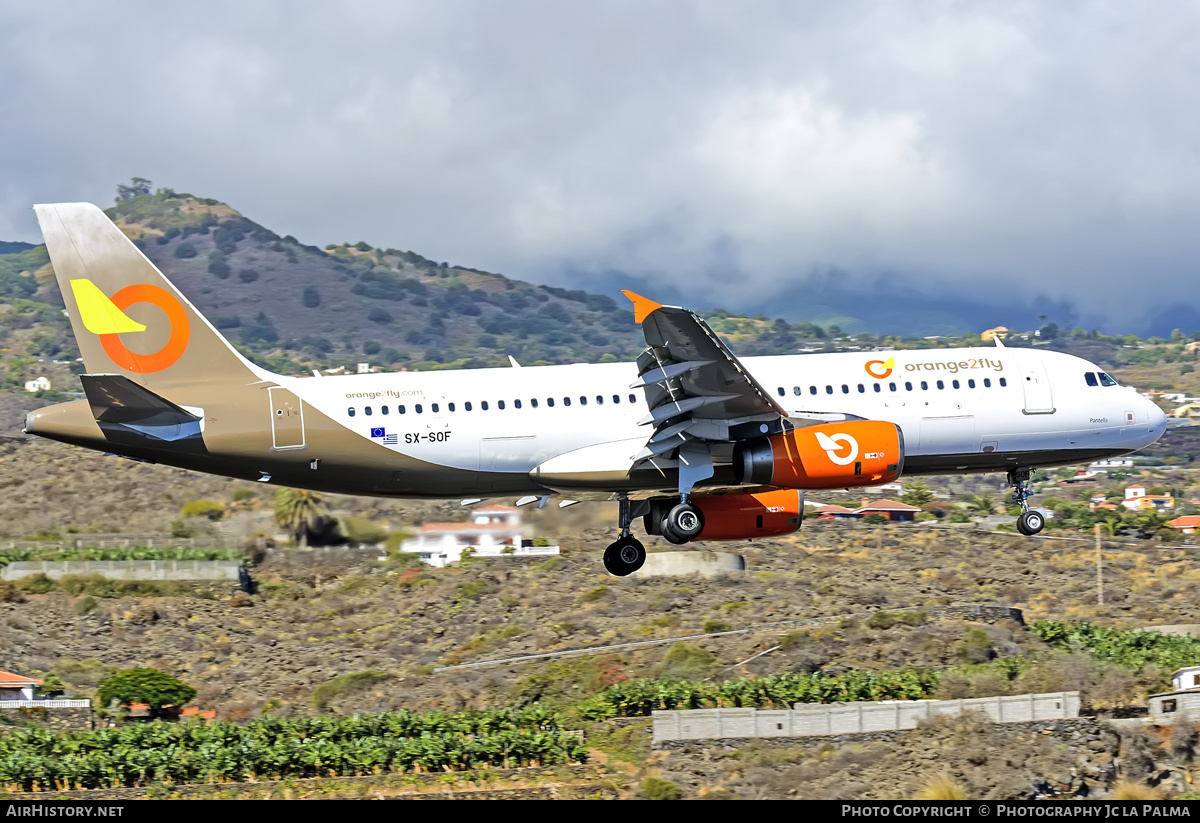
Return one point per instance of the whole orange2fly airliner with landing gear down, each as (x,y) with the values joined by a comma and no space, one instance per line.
(695,442)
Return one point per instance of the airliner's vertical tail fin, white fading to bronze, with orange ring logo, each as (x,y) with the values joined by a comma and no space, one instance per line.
(127,316)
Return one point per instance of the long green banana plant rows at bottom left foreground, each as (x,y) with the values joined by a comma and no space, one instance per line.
(267,749)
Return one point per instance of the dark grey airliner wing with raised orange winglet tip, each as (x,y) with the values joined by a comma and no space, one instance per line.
(699,393)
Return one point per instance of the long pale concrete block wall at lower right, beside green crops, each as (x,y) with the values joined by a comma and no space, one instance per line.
(855,718)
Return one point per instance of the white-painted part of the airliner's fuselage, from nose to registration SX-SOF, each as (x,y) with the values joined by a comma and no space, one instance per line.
(986,405)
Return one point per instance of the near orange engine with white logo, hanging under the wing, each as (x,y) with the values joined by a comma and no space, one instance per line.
(855,453)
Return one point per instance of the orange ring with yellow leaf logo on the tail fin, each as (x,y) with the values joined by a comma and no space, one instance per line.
(106,317)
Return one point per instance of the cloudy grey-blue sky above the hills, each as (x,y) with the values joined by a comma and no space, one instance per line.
(1039,149)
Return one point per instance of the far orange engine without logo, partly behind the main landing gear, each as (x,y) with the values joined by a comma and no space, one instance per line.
(737,515)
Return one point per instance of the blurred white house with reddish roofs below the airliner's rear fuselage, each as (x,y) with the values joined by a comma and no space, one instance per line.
(494,531)
